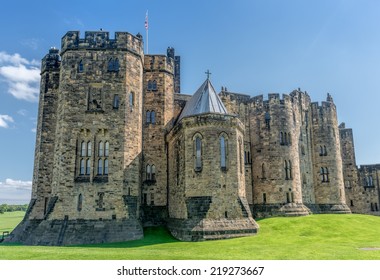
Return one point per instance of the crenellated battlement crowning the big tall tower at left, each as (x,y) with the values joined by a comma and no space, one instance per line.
(100,40)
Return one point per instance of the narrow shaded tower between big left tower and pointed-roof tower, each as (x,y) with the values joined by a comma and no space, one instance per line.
(157,121)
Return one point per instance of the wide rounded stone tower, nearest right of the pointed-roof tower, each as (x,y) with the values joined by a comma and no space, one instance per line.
(276,164)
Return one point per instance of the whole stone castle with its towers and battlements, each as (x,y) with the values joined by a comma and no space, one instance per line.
(119,148)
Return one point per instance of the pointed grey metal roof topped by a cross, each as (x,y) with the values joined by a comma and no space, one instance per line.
(204,100)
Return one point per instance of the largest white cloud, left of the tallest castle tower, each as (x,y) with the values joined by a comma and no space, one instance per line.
(21,75)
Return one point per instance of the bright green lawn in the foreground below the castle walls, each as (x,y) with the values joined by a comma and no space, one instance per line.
(313,237)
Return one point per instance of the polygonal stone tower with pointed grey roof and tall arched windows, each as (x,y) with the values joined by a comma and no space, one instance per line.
(206,172)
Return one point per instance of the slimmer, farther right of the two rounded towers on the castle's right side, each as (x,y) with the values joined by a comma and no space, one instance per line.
(327,159)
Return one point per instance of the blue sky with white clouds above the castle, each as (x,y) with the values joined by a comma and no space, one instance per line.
(250,46)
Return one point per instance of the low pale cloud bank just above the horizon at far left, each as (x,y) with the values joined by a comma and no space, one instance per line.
(15,191)
